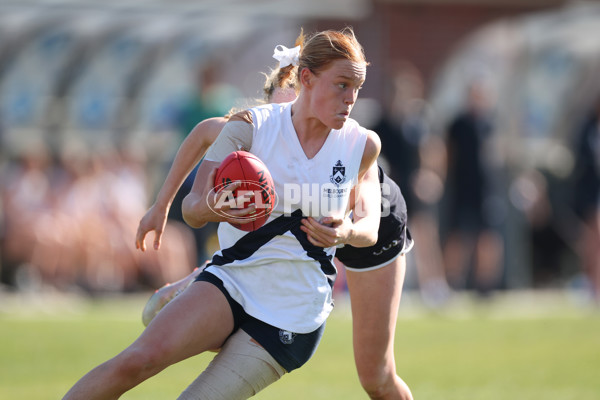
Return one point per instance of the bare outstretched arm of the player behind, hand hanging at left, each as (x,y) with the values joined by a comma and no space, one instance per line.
(189,154)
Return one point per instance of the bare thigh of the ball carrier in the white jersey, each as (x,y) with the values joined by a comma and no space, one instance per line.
(197,320)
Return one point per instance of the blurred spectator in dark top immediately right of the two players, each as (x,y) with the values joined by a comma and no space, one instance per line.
(415,160)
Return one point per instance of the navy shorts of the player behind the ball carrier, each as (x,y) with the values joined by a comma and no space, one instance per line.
(393,235)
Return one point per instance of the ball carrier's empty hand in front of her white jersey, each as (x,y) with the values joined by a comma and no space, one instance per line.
(330,231)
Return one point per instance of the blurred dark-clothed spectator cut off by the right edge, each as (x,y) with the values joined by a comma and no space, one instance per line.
(586,198)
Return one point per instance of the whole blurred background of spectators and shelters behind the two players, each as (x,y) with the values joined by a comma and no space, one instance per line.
(488,113)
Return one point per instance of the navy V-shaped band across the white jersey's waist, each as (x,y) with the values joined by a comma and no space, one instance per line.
(252,241)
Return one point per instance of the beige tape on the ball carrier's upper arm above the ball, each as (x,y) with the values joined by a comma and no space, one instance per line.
(236,135)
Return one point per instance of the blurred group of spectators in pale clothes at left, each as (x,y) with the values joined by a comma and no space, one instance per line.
(68,221)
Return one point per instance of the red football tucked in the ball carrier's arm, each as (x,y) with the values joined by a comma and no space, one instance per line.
(256,180)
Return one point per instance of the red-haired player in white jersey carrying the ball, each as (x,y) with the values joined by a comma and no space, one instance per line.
(224,299)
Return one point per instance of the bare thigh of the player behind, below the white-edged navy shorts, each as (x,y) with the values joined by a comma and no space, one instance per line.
(375,298)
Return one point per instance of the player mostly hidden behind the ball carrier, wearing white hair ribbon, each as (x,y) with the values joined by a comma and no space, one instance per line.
(375,273)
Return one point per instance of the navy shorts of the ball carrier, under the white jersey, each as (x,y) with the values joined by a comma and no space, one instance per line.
(291,350)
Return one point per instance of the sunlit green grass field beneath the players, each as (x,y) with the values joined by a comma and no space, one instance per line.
(521,346)
